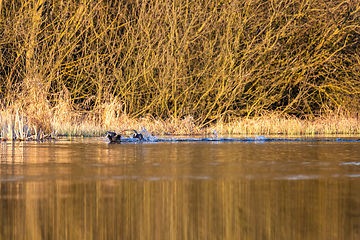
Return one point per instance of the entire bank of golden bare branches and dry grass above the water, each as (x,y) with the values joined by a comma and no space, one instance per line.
(83,67)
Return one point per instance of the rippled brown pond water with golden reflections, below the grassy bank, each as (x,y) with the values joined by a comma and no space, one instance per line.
(89,189)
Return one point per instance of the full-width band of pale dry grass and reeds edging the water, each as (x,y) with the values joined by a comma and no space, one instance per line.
(18,125)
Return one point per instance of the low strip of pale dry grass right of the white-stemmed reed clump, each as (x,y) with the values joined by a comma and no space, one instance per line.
(264,125)
